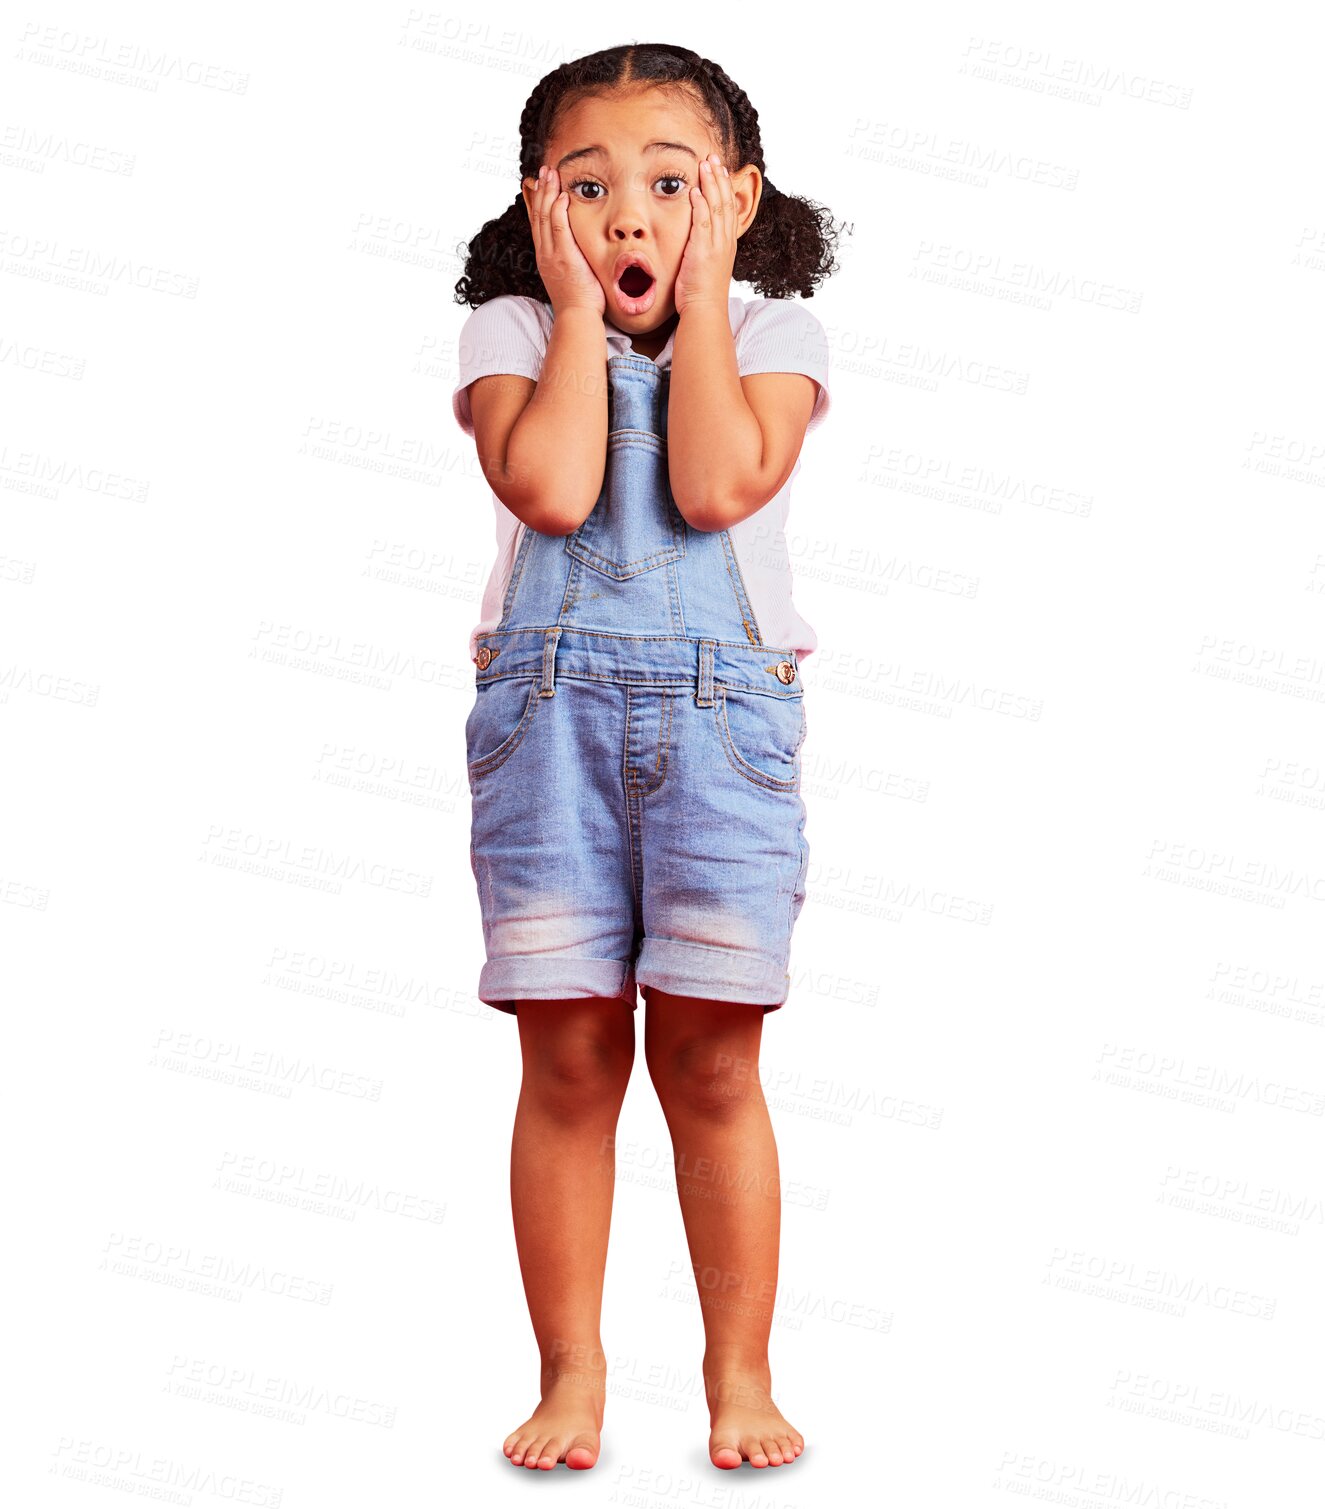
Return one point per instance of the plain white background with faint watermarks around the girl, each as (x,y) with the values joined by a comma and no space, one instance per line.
(1050,1086)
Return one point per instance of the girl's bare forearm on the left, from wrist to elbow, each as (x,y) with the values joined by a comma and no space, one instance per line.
(558,447)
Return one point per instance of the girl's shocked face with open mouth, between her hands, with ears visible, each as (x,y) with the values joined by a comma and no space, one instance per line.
(633,198)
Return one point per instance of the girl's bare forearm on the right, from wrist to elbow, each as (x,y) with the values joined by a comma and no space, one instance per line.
(713,484)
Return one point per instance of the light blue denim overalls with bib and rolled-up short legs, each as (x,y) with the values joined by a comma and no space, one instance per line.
(635,752)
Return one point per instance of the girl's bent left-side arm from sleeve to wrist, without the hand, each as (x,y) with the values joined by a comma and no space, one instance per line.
(544,444)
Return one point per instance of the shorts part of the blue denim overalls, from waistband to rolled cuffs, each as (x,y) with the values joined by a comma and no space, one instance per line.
(636,816)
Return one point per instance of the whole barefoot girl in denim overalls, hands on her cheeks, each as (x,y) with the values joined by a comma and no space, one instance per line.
(635,742)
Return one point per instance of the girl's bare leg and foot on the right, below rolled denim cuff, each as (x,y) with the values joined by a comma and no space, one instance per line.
(704,1060)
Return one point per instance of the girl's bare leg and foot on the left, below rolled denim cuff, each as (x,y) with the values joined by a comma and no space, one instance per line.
(577,1063)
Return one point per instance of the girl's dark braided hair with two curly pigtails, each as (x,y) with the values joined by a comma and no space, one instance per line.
(789,247)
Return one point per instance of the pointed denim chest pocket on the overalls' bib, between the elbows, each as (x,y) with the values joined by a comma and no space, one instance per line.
(636,524)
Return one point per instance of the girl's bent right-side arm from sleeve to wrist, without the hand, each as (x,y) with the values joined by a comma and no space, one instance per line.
(763,420)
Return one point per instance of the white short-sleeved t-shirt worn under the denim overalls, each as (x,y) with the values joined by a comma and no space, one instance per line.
(509,334)
